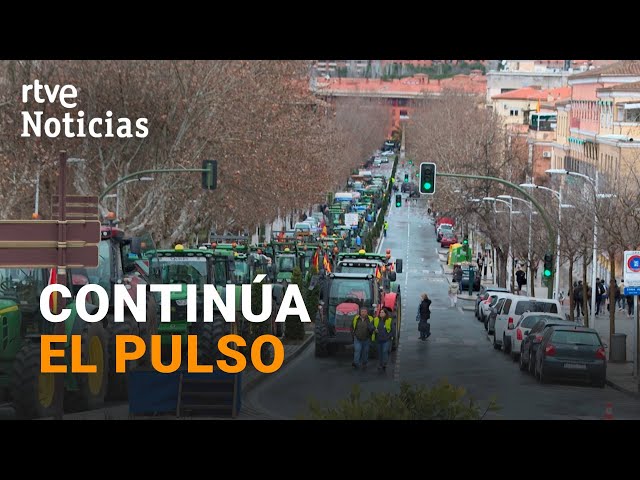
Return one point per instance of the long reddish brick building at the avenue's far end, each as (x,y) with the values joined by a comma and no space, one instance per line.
(398,93)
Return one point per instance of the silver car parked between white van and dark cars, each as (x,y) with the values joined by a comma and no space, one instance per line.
(511,312)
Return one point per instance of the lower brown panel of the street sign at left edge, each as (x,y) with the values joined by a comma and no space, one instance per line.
(48,257)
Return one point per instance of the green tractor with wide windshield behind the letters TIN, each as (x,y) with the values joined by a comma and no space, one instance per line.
(184,267)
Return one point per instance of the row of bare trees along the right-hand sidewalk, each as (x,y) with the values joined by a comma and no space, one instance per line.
(461,136)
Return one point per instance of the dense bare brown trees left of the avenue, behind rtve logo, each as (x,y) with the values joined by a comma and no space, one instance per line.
(279,148)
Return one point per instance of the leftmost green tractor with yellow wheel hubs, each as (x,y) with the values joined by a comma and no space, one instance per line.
(33,393)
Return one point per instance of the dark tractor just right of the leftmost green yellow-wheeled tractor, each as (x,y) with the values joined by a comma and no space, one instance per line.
(123,260)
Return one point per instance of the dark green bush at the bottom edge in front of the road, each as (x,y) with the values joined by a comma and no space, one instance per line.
(413,402)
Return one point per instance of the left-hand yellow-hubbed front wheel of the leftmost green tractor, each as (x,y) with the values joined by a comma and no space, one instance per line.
(33,393)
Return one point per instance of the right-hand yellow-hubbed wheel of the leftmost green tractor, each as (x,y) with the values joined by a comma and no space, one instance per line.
(92,387)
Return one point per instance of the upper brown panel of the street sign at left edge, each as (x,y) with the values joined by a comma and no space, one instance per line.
(24,233)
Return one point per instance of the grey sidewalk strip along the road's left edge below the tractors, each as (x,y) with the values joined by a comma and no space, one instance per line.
(251,378)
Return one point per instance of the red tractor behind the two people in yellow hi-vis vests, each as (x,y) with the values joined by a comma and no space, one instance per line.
(342,295)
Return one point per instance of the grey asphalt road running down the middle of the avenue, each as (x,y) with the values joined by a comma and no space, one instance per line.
(458,350)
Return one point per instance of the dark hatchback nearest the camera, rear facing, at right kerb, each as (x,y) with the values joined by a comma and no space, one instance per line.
(571,352)
